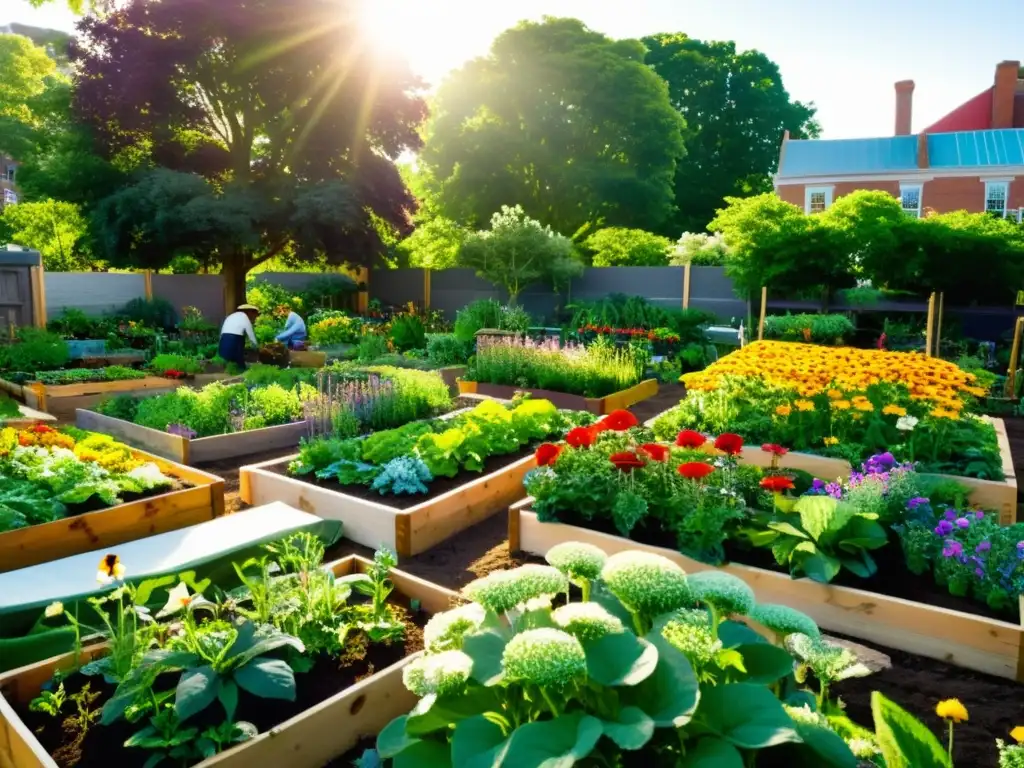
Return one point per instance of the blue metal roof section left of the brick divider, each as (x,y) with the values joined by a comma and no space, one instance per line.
(852,156)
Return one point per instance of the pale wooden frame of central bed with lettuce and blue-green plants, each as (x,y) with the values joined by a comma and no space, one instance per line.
(408,532)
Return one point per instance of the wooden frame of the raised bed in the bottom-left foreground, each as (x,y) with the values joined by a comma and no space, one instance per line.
(308,741)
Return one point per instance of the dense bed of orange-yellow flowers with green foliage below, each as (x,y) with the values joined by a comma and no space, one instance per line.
(844,403)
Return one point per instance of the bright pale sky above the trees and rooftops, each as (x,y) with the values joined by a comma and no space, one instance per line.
(844,56)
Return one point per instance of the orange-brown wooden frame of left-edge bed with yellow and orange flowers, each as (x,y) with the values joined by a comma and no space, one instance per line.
(125,523)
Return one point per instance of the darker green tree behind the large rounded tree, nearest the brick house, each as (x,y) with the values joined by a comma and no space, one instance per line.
(737,111)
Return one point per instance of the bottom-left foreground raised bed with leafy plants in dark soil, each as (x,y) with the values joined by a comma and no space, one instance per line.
(191,669)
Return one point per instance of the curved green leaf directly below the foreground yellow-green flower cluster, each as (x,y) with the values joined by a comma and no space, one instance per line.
(669,696)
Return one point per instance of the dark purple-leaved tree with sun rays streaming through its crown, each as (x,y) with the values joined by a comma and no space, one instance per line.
(253,129)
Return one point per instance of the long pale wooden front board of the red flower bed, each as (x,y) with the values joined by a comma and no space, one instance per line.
(966,641)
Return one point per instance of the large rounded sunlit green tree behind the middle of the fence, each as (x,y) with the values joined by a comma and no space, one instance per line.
(562,120)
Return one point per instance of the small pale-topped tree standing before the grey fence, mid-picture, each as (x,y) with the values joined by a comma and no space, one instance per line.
(518,251)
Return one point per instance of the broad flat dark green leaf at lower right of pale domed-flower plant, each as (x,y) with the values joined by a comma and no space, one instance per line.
(746,714)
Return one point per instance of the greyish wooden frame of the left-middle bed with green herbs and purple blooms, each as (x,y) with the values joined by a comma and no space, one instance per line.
(200,450)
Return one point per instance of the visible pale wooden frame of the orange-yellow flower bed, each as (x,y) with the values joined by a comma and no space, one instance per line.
(996,495)
